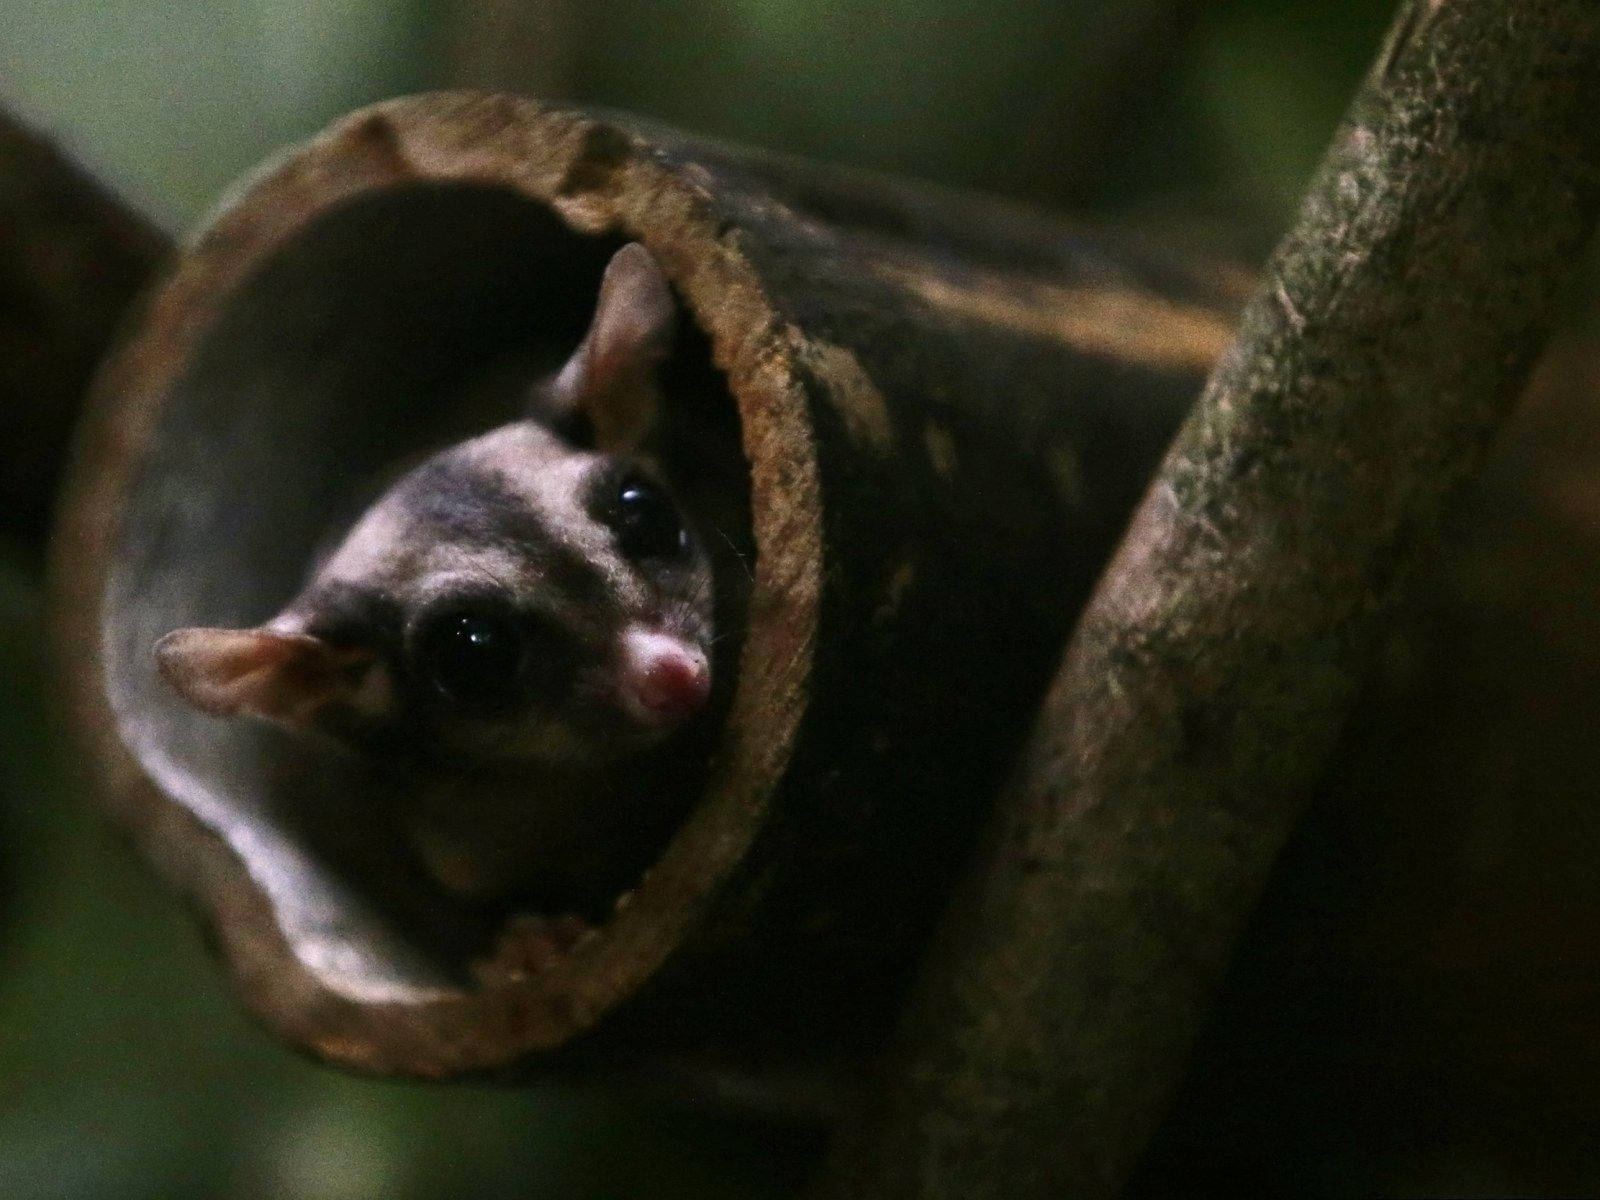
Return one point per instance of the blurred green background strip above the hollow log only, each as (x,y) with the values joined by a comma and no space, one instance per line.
(177,100)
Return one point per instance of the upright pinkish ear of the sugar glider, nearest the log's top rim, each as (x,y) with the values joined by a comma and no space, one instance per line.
(610,378)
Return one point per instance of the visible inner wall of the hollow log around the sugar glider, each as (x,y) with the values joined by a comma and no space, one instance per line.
(385,330)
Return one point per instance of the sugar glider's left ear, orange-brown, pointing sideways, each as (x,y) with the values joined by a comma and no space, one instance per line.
(284,678)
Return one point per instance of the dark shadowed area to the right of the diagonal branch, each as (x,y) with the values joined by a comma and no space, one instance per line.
(1412,1007)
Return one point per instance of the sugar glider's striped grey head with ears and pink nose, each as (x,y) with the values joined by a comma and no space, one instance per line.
(518,598)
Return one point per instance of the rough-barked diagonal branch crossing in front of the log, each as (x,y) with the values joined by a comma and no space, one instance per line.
(1222,652)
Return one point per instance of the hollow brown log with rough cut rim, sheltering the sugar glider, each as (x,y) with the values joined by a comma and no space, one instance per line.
(948,410)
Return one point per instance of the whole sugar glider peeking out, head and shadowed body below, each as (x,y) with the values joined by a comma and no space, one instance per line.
(519,631)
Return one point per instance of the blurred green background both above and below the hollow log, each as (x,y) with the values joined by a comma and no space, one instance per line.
(126,1071)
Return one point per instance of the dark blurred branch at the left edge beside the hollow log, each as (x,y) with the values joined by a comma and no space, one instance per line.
(71,260)
